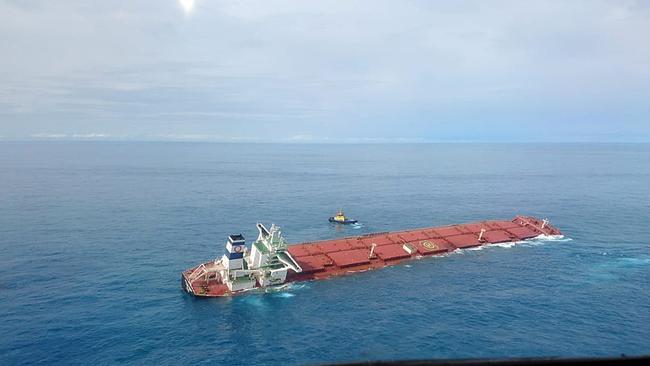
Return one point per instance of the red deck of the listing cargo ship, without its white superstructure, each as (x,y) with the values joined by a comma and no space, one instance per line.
(338,257)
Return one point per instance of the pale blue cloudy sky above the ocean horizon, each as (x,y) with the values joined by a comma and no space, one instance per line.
(325,71)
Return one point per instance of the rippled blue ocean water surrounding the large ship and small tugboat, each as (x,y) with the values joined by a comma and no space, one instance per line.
(94,236)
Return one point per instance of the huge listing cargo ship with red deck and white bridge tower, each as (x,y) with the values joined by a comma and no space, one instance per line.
(272,263)
